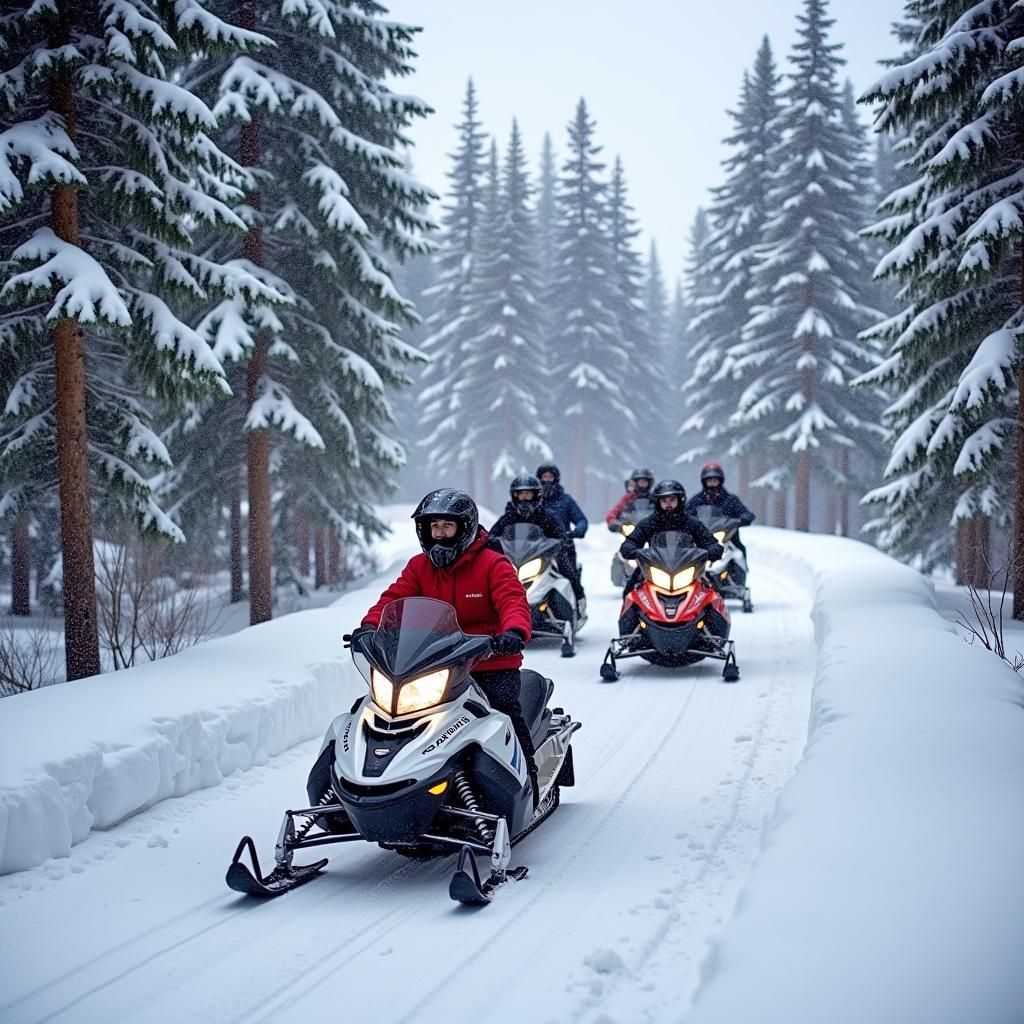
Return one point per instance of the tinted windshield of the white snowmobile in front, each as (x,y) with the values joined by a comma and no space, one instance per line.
(419,633)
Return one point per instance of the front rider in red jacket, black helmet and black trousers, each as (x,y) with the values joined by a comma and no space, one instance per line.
(457,567)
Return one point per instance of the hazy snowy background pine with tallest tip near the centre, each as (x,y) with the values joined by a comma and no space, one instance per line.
(589,363)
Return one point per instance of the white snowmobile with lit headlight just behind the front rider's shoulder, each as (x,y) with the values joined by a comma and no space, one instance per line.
(552,604)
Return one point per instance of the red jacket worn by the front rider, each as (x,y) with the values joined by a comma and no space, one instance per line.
(482,585)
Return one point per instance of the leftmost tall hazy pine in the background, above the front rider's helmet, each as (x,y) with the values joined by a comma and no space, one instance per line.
(443,421)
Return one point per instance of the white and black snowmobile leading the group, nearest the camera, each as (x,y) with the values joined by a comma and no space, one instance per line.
(423,765)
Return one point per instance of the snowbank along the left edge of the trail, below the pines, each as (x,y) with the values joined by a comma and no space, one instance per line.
(87,755)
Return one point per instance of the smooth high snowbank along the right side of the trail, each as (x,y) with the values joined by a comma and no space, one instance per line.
(889,884)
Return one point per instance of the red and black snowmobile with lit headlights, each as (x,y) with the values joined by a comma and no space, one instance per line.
(673,618)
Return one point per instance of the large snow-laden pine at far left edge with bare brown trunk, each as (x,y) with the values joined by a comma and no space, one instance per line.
(108,169)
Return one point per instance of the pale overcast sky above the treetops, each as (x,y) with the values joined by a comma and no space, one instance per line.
(658,76)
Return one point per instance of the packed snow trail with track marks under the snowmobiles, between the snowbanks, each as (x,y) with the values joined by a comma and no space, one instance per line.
(630,879)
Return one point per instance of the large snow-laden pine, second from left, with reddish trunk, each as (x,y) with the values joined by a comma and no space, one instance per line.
(325,133)
